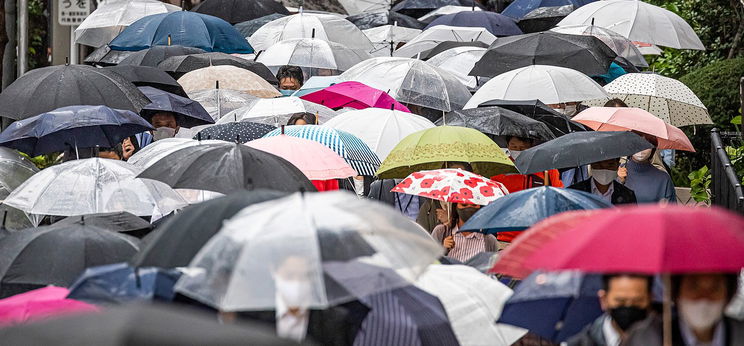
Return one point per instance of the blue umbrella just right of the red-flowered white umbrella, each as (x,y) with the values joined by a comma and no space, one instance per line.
(520,210)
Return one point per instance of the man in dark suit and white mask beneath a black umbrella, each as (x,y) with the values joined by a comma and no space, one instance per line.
(603,184)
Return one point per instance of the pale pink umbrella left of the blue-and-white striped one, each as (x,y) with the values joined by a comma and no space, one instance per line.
(315,160)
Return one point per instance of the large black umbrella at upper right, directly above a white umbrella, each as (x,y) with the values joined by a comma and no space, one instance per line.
(587,54)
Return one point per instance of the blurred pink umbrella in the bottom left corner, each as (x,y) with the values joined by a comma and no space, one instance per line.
(38,304)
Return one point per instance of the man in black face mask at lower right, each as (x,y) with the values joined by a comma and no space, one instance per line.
(625,300)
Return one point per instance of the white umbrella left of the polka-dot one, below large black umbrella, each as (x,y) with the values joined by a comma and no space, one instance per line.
(549,84)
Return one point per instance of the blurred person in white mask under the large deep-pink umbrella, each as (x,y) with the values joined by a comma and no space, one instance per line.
(700,300)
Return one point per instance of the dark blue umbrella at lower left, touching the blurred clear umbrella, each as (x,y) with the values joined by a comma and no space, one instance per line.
(119,283)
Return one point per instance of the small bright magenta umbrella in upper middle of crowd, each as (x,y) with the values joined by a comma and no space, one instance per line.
(354,95)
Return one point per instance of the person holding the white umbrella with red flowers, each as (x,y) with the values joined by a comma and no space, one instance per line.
(463,245)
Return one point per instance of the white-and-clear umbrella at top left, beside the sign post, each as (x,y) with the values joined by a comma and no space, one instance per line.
(111,17)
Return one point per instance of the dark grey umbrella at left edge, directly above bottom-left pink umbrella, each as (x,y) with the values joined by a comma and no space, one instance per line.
(57,255)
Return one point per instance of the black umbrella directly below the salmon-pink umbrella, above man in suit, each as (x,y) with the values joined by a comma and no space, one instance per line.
(580,148)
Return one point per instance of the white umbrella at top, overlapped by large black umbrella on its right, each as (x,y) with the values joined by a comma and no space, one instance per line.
(433,36)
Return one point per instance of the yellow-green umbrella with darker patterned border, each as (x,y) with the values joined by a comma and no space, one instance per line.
(430,149)
